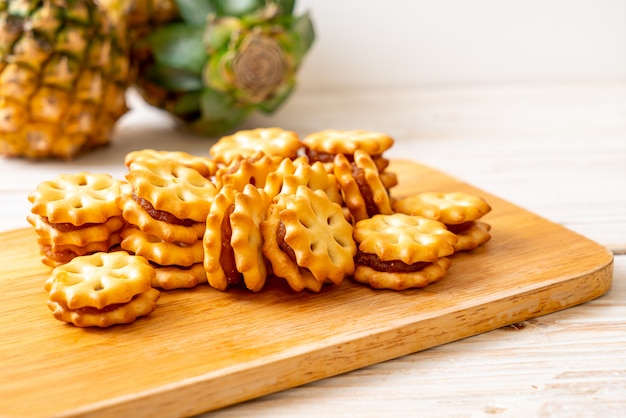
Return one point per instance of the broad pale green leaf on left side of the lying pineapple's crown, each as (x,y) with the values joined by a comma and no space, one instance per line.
(179,46)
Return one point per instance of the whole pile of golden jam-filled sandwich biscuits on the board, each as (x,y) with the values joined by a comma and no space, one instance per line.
(264,204)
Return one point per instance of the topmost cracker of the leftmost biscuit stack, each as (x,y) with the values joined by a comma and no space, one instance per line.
(77,199)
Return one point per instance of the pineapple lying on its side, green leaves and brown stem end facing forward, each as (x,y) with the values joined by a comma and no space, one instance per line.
(223,60)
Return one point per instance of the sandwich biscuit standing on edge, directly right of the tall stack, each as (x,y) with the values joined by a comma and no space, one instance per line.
(232,240)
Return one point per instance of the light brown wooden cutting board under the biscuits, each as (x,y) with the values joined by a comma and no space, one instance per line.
(203,349)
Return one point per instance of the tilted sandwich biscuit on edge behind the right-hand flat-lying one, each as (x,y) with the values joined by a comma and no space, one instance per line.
(363,192)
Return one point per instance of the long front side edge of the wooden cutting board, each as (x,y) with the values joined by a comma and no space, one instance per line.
(245,383)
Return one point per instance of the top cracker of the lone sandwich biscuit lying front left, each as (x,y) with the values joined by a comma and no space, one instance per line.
(99,280)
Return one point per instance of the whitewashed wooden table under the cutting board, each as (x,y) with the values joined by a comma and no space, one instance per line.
(556,150)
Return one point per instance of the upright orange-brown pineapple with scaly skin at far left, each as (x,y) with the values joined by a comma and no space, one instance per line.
(64,71)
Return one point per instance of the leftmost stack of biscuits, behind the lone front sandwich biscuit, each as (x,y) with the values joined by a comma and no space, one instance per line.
(75,215)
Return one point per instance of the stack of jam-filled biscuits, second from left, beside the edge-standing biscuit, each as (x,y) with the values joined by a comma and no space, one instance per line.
(165,205)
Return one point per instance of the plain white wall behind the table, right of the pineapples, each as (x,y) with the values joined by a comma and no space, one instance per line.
(415,42)
